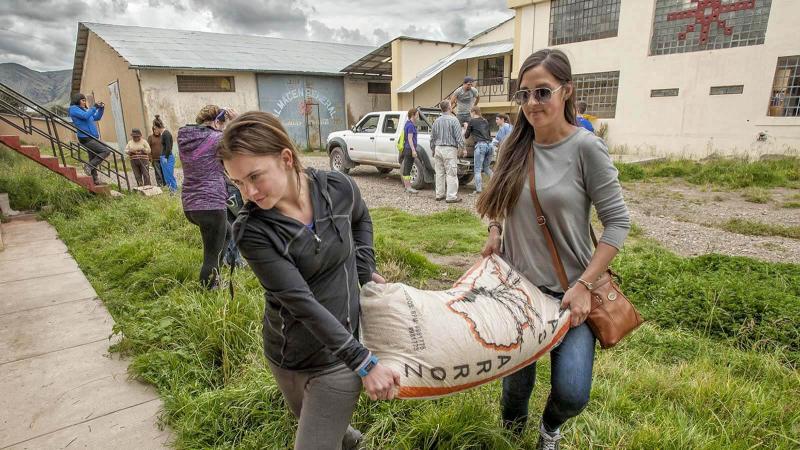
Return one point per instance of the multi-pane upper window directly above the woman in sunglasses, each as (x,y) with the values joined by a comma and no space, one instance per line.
(582,20)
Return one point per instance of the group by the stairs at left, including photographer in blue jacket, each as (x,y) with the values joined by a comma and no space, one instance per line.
(155,150)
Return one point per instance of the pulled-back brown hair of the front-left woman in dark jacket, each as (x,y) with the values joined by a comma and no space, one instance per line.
(257,133)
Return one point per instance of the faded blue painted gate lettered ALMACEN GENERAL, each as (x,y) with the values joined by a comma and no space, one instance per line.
(309,107)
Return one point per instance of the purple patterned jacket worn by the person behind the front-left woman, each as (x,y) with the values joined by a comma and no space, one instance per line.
(203,175)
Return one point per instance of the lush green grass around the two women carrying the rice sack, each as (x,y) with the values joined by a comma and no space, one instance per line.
(695,376)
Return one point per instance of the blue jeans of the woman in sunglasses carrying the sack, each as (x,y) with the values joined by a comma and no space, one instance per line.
(570,382)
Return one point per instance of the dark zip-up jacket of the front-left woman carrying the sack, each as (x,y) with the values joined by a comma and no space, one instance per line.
(312,277)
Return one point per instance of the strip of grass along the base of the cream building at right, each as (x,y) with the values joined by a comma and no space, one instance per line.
(724,173)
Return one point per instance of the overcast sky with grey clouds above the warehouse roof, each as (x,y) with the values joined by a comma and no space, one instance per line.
(41,34)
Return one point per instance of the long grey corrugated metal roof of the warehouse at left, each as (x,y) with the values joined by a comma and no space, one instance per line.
(163,48)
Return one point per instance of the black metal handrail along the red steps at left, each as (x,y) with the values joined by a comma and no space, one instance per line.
(16,104)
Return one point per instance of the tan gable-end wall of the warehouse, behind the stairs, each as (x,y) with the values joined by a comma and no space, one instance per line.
(103,65)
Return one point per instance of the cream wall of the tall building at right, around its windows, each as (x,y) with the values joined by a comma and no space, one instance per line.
(694,123)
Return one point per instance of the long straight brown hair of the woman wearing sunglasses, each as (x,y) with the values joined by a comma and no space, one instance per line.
(508,180)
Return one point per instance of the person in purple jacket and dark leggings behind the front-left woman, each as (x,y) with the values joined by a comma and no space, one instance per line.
(203,193)
